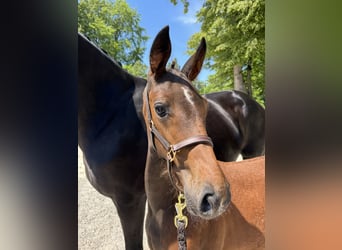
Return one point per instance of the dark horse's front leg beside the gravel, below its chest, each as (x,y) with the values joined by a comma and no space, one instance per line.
(131,215)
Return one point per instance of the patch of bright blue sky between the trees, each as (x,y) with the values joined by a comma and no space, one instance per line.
(156,14)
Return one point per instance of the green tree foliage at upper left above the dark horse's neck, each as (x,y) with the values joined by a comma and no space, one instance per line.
(114,27)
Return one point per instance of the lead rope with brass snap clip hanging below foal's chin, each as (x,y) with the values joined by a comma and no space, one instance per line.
(181,222)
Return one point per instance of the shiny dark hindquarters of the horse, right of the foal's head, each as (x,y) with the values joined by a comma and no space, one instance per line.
(241,120)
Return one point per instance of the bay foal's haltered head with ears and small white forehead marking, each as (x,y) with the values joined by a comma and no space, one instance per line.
(176,115)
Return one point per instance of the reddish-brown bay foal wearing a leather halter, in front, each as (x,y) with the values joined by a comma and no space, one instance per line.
(181,159)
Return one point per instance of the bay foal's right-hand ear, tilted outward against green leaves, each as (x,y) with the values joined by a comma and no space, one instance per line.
(193,66)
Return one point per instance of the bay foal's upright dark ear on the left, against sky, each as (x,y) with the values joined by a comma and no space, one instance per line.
(160,52)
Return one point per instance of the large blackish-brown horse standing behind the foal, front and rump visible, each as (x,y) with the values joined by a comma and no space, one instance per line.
(112,134)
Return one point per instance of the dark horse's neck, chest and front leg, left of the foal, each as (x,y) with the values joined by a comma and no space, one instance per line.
(112,136)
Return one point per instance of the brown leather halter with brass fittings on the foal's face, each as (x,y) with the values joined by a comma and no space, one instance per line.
(172,149)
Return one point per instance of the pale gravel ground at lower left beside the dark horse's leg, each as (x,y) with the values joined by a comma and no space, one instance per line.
(98,223)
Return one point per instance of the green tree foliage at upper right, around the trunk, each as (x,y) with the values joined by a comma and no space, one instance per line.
(235,34)
